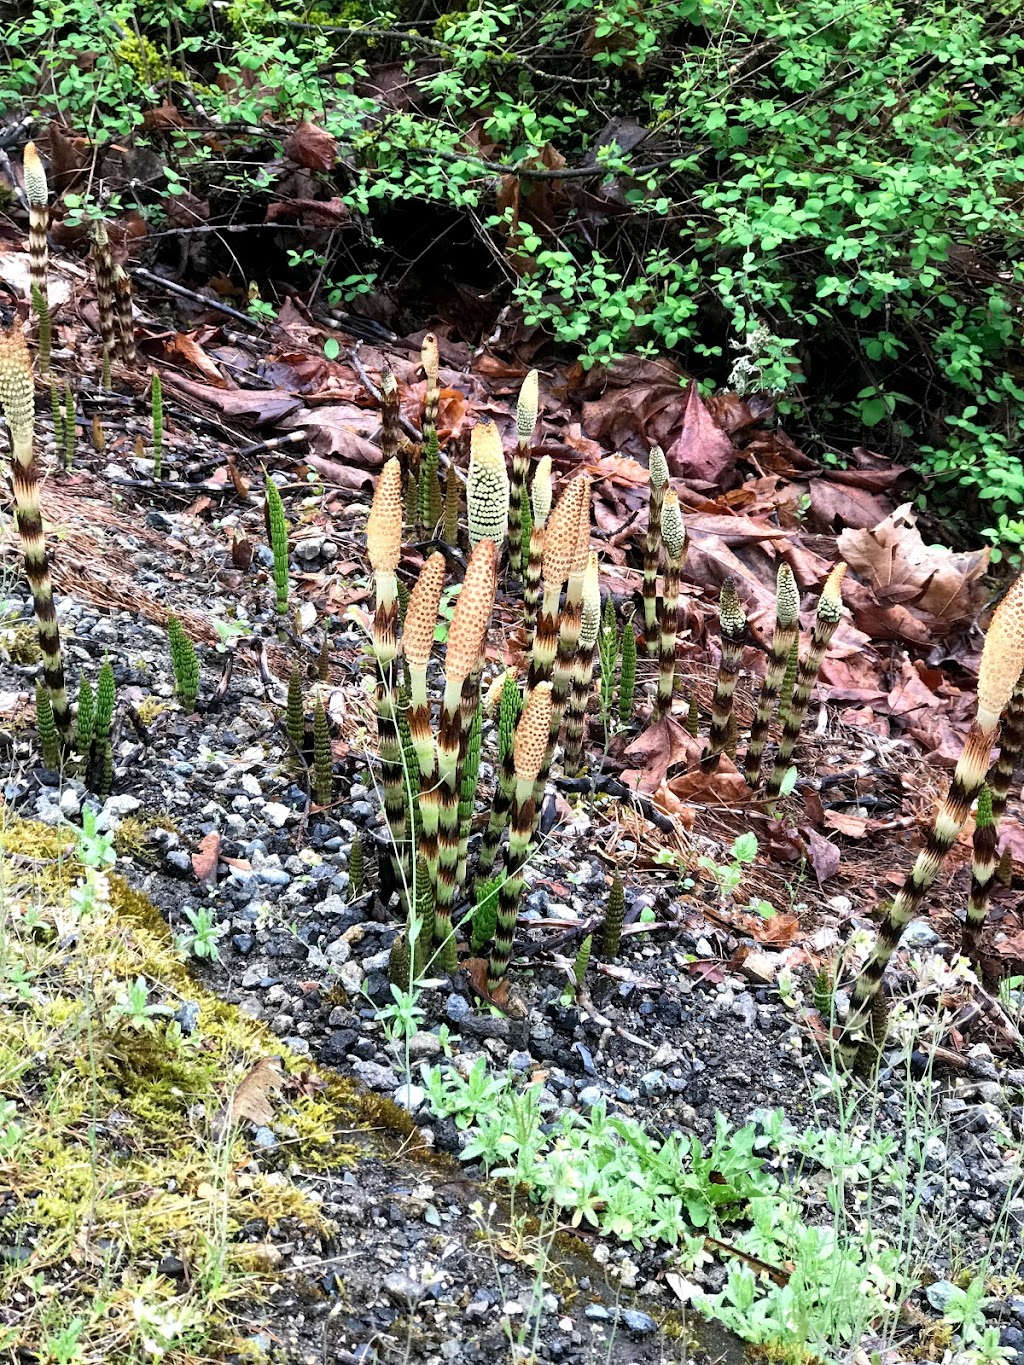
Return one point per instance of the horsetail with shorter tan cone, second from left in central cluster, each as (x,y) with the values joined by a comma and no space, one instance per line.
(418,640)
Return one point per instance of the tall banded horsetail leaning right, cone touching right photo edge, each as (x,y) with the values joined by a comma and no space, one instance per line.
(1003,664)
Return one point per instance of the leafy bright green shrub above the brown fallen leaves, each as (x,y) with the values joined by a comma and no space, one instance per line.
(819,201)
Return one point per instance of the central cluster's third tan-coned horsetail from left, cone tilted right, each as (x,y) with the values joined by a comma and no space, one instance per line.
(466,644)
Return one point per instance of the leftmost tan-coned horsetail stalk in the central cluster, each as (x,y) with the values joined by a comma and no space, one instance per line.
(384,551)
